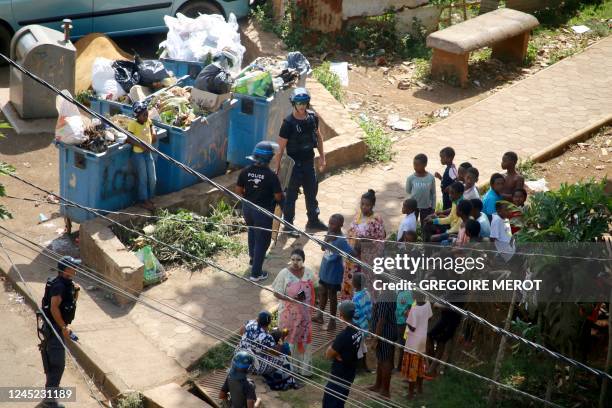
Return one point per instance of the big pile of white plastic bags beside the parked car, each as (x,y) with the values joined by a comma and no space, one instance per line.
(198,39)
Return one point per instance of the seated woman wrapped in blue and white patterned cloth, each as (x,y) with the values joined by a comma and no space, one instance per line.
(257,339)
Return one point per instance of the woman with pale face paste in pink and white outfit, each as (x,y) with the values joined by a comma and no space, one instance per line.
(294,287)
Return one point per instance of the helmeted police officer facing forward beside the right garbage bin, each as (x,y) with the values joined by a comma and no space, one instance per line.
(300,135)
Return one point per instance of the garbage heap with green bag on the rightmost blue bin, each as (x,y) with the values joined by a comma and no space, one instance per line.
(265,76)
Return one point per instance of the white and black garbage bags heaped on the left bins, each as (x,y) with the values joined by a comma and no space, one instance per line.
(118,80)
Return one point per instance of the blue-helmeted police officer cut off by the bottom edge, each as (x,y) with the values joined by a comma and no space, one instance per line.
(241,390)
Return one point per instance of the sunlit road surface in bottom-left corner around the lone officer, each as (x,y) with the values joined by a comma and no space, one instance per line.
(19,356)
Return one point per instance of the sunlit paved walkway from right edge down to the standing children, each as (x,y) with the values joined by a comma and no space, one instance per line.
(527,117)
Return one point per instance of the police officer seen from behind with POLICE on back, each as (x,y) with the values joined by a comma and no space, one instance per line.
(258,184)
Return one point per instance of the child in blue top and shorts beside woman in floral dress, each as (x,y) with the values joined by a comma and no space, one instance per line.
(331,271)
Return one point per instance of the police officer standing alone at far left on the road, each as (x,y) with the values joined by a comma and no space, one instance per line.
(59,306)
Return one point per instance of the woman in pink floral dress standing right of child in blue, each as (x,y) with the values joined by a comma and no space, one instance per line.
(365,229)
